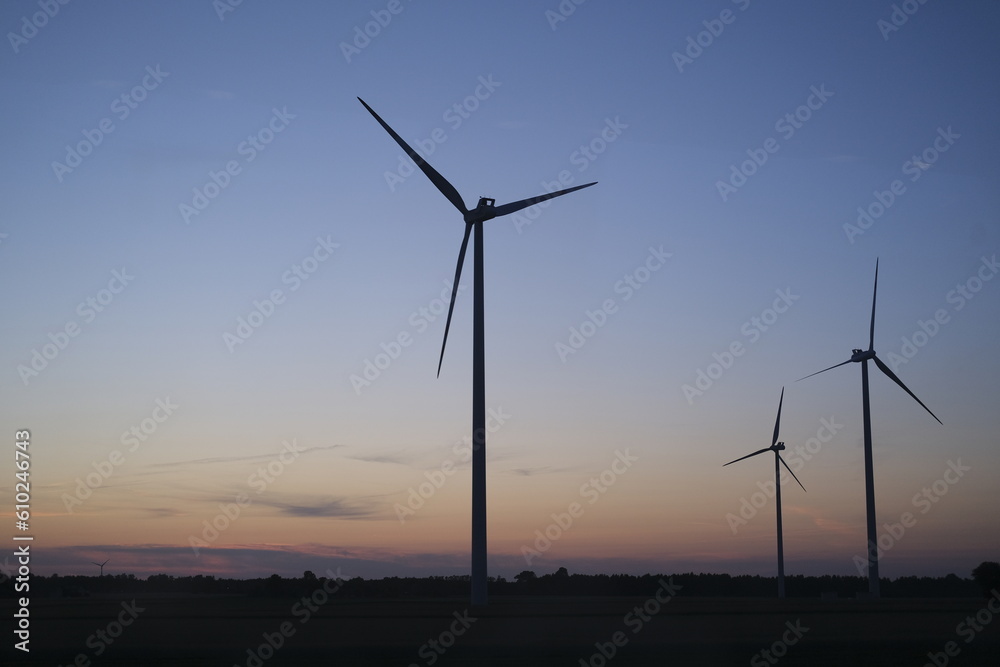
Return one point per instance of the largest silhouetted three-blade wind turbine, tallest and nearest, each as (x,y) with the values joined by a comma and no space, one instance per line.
(474,219)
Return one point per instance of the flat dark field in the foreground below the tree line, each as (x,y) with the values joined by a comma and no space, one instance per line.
(225,631)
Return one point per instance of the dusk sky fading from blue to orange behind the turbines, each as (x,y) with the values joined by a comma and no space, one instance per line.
(678,128)
